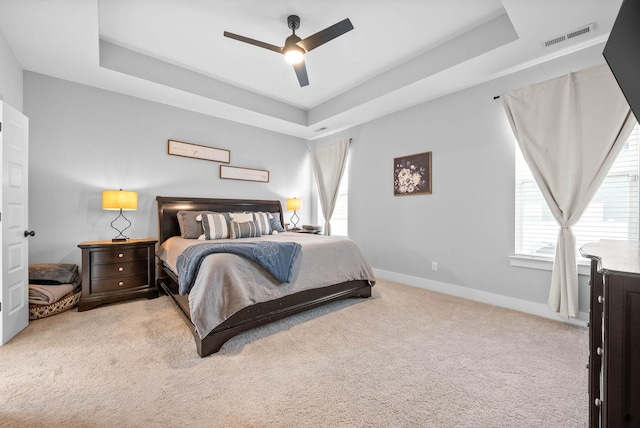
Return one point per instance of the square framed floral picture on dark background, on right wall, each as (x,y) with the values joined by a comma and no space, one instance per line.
(412,175)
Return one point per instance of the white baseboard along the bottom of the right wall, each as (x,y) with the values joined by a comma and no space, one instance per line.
(519,305)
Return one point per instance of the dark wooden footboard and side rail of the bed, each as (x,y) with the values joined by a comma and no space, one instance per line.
(261,313)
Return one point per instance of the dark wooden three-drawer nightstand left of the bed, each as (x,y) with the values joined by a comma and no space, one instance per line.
(116,271)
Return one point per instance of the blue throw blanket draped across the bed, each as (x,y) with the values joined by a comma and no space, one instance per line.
(276,257)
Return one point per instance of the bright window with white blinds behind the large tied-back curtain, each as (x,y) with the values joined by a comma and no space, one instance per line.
(612,214)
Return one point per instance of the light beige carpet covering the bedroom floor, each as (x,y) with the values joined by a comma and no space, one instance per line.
(406,357)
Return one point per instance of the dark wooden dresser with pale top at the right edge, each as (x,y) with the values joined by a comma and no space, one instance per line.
(614,333)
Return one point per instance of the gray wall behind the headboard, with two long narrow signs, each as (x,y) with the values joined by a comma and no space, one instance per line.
(84,140)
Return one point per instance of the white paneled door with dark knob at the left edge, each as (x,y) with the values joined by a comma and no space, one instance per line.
(14,299)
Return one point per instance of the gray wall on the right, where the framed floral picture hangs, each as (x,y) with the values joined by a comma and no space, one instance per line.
(467,224)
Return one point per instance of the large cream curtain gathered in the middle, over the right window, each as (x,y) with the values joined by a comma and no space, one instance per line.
(570,130)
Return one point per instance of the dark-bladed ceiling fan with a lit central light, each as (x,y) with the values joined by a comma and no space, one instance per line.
(294,47)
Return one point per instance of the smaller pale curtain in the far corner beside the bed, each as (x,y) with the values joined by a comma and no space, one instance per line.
(328,164)
